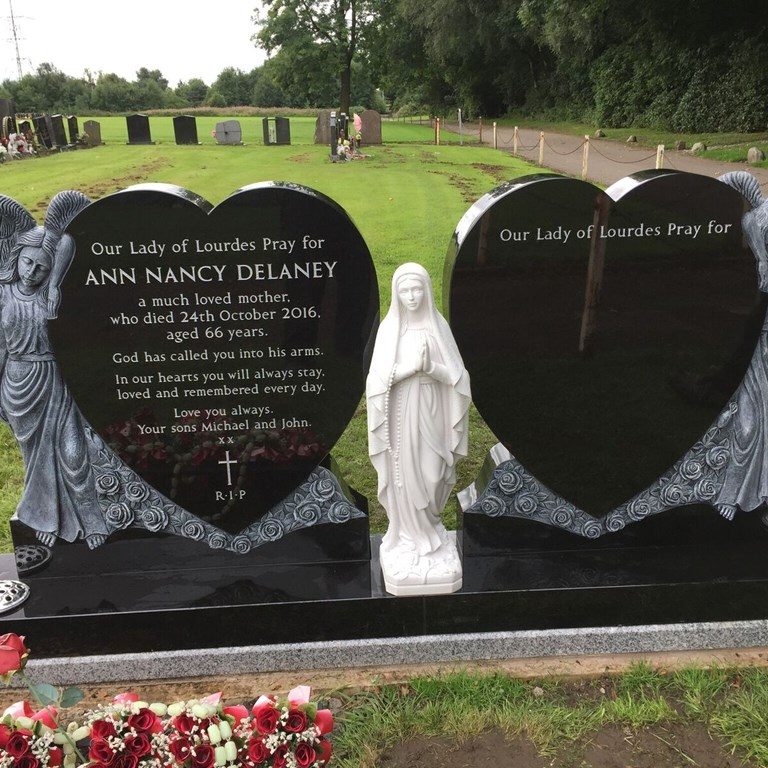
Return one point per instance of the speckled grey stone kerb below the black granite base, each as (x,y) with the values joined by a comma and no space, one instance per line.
(216,662)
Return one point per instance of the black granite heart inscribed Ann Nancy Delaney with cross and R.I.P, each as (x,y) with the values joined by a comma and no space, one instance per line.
(217,351)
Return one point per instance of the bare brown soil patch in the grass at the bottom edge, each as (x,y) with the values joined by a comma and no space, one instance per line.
(666,746)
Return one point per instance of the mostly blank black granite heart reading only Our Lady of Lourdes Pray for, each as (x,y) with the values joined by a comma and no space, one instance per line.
(603,334)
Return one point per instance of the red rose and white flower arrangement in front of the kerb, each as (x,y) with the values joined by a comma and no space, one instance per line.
(129,733)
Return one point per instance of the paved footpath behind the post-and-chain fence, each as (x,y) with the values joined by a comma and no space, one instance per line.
(609,161)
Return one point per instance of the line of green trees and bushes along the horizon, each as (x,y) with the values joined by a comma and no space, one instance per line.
(691,65)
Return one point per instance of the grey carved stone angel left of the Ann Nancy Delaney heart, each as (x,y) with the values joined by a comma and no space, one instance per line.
(59,498)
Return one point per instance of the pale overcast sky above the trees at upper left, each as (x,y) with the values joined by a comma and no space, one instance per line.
(181,38)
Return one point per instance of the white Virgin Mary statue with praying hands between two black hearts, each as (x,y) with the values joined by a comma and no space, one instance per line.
(418,399)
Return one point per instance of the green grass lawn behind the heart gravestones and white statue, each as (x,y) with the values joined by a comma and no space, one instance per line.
(405,198)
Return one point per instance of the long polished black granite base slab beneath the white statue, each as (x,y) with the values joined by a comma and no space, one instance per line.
(294,604)
